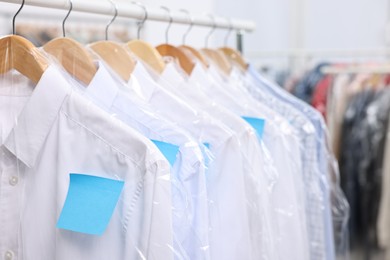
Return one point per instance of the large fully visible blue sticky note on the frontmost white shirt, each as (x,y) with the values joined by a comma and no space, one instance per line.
(89,204)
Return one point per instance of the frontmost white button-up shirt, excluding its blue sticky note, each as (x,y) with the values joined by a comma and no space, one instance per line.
(51,132)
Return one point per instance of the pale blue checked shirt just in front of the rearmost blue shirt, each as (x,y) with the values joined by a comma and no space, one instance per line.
(311,172)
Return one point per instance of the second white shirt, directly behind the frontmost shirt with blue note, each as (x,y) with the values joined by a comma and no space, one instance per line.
(190,206)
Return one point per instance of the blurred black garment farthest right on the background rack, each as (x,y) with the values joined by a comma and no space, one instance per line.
(370,173)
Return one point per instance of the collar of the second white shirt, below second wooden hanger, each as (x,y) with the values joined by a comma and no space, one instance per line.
(103,86)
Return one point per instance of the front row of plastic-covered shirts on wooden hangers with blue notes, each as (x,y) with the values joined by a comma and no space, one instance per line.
(127,151)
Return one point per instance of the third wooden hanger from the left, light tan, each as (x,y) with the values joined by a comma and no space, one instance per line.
(116,56)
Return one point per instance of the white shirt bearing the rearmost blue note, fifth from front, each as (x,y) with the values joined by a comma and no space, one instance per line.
(281,162)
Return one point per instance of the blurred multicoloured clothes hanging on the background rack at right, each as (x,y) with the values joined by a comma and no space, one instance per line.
(357,107)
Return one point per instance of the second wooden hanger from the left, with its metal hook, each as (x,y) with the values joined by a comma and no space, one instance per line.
(74,58)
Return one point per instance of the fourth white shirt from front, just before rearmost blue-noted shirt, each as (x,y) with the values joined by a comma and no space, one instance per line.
(256,180)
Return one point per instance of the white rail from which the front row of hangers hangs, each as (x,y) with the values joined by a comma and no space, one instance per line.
(129,10)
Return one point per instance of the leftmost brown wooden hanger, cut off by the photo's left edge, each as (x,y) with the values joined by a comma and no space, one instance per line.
(20,54)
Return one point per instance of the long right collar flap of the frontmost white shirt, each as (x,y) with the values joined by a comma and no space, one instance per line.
(37,117)
